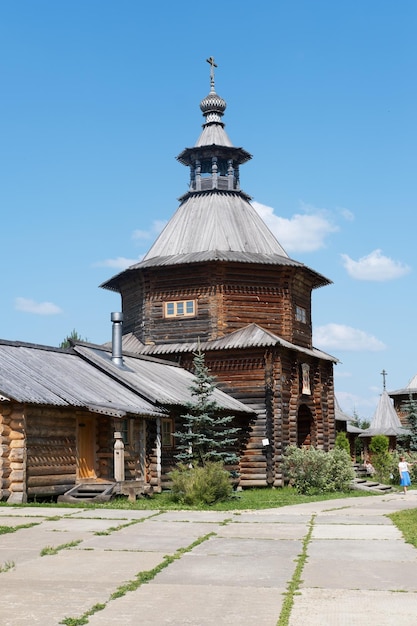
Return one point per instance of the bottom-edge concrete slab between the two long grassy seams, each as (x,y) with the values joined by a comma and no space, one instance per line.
(168,605)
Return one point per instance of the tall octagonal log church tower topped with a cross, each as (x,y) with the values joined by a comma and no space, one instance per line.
(217,278)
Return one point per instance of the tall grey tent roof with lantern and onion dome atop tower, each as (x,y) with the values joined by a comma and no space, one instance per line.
(215,221)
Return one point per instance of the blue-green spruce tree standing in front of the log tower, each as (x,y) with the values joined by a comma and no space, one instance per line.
(206,436)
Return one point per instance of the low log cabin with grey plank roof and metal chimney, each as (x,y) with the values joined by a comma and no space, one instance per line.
(66,414)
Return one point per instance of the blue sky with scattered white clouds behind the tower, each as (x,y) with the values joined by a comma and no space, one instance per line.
(98,98)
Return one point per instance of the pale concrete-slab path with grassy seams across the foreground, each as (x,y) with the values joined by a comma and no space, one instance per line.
(230,568)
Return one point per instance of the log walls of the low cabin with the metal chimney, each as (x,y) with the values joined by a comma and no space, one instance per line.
(39,455)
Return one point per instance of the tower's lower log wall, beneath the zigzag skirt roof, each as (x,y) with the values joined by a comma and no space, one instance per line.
(270,382)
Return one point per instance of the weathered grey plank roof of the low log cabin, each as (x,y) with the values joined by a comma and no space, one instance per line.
(86,377)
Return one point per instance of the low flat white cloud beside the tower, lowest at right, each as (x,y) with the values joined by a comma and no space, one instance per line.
(341,337)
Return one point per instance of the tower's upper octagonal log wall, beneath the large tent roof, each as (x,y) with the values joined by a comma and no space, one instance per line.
(229,296)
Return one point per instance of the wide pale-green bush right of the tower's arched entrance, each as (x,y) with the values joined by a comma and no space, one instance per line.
(313,471)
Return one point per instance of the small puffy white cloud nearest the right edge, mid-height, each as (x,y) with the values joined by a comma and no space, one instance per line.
(375,266)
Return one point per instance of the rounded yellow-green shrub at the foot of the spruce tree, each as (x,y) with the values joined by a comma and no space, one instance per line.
(200,485)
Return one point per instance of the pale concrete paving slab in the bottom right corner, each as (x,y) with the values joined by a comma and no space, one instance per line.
(338,607)
